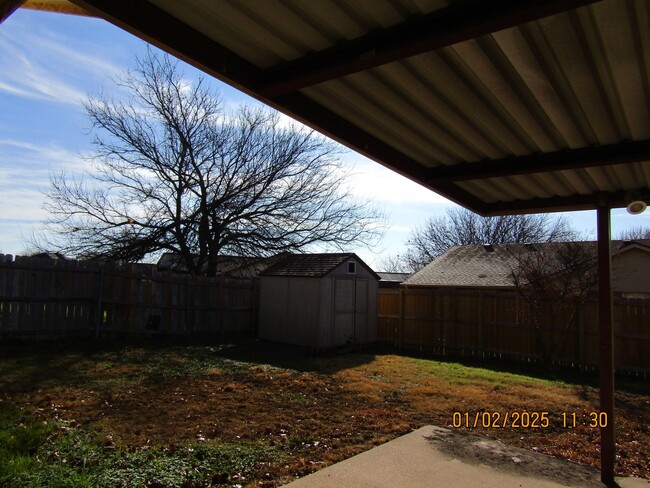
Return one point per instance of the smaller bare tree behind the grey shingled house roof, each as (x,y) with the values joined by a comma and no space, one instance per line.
(462,227)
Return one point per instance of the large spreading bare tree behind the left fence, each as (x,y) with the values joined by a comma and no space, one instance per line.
(174,172)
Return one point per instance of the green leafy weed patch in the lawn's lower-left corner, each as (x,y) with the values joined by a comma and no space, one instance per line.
(36,453)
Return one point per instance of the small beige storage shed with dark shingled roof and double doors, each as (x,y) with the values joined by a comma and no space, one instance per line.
(319,300)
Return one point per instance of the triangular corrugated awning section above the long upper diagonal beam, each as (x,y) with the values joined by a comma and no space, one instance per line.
(273,31)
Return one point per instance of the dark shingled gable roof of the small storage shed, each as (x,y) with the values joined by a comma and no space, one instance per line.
(311,265)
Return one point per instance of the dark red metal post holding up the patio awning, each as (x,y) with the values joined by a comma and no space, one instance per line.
(606,337)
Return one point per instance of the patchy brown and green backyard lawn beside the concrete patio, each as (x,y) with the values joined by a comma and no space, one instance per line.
(255,414)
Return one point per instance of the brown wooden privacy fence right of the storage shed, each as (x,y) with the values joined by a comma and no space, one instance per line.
(483,324)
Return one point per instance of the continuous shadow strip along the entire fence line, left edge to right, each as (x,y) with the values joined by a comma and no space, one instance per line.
(42,362)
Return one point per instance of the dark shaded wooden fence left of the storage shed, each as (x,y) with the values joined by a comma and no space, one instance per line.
(45,297)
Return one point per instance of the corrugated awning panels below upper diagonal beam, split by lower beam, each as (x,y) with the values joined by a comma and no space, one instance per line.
(534,87)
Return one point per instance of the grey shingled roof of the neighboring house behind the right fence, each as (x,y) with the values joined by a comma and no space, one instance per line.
(491,266)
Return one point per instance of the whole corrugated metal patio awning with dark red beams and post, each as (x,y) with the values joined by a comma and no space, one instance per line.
(503,106)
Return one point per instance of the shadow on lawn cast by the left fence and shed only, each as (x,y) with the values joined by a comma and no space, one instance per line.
(39,364)
